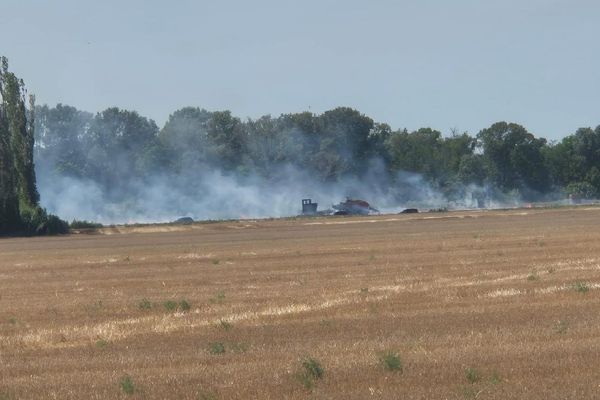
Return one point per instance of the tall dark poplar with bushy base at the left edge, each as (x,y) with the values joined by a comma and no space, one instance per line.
(19,199)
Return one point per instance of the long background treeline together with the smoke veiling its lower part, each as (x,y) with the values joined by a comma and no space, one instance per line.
(215,165)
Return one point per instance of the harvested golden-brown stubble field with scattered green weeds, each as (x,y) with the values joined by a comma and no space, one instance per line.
(460,305)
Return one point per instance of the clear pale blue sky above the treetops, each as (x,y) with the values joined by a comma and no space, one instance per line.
(447,64)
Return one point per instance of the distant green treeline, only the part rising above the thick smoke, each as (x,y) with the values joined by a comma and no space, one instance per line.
(116,147)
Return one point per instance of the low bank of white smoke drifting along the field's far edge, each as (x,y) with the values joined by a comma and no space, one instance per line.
(214,195)
